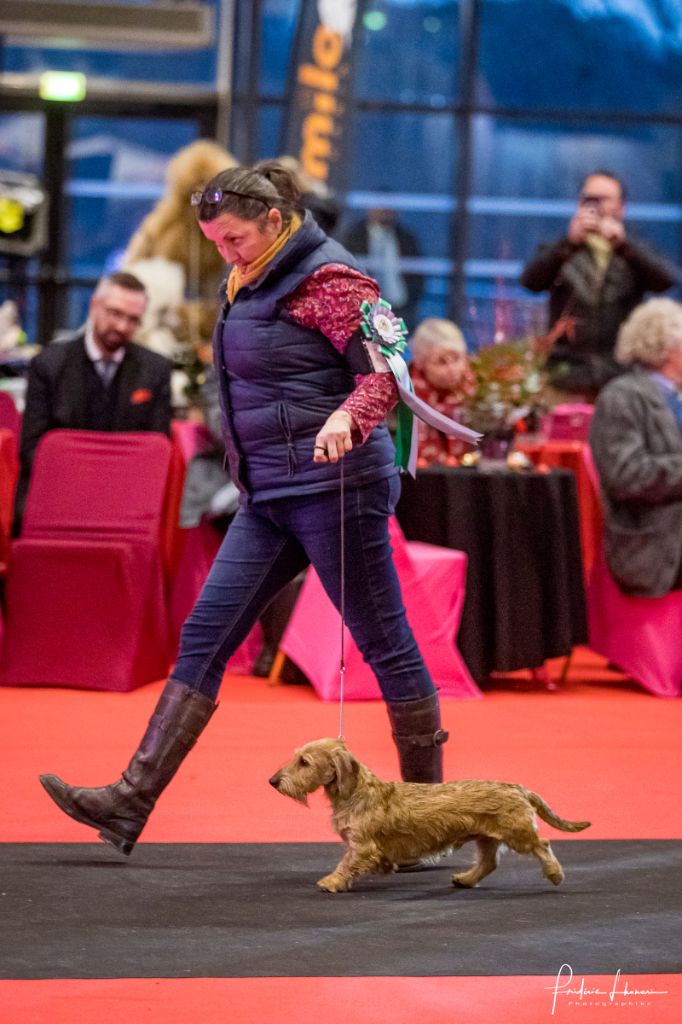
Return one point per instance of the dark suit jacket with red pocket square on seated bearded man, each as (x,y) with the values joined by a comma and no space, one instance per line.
(56,398)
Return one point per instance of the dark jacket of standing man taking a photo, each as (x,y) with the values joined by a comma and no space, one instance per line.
(595,303)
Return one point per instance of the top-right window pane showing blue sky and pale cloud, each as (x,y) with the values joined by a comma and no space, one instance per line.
(581,55)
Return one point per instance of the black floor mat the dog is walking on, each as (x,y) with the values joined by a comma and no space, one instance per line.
(180,911)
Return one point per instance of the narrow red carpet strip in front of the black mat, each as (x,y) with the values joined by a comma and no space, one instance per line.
(336,1001)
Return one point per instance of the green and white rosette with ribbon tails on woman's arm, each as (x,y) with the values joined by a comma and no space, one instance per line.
(382,328)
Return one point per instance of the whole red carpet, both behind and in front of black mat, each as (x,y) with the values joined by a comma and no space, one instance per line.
(599,748)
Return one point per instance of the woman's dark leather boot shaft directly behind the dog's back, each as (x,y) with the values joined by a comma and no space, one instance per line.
(419,739)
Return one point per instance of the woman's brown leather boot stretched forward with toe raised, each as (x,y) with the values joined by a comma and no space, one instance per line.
(120,812)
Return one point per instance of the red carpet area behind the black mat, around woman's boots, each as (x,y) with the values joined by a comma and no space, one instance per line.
(598,750)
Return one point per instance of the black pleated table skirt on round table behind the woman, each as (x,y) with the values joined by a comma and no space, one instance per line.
(526,601)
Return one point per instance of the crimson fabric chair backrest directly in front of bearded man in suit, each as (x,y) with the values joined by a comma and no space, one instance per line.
(98,486)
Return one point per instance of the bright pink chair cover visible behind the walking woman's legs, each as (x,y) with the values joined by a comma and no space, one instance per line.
(434,588)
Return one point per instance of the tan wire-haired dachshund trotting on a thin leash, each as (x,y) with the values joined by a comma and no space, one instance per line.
(386,825)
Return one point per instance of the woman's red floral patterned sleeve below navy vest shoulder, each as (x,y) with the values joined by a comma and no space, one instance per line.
(329,302)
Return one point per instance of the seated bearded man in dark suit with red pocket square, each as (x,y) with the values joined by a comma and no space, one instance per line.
(97,378)
